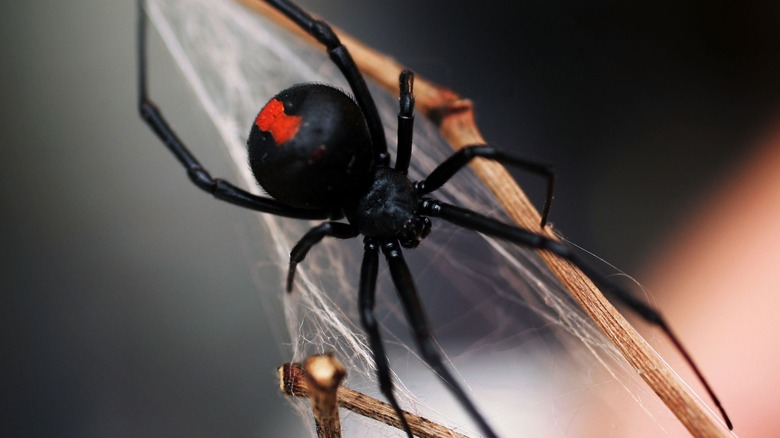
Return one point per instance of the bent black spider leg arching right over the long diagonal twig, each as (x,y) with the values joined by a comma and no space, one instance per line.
(462,157)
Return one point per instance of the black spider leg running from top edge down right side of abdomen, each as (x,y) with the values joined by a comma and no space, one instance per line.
(340,56)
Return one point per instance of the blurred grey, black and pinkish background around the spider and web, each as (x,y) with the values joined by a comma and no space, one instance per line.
(128,306)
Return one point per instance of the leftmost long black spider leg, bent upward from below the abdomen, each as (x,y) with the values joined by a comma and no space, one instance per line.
(221,189)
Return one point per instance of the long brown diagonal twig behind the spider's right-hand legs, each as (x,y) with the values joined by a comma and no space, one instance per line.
(455,118)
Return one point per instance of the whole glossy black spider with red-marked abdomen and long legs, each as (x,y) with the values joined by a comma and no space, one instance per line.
(322,155)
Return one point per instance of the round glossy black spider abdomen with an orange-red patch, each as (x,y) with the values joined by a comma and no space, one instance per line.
(310,147)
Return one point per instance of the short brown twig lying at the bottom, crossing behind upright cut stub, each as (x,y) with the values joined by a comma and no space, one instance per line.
(293,380)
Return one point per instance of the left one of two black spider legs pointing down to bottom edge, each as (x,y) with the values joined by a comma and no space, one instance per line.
(368,274)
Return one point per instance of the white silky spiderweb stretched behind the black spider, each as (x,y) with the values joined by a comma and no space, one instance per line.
(532,361)
